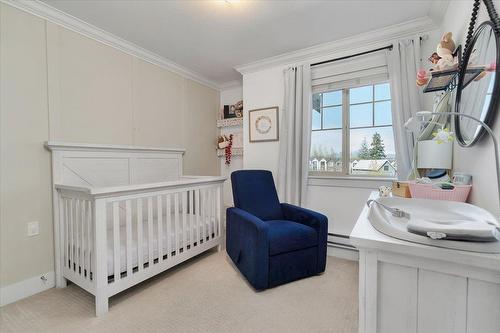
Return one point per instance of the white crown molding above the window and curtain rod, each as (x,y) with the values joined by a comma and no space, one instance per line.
(345,46)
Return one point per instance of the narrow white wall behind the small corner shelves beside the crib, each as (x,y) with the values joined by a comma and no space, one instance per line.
(230,97)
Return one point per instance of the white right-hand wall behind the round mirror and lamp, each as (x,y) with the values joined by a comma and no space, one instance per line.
(479,159)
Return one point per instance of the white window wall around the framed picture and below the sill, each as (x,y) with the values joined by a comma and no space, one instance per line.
(340,200)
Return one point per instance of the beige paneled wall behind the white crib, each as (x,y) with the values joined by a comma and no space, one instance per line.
(59,85)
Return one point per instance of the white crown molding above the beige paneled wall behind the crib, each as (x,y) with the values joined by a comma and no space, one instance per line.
(56,16)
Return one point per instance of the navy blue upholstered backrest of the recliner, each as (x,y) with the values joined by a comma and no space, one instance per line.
(254,192)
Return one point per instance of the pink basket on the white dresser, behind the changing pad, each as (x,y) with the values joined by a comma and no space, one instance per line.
(427,191)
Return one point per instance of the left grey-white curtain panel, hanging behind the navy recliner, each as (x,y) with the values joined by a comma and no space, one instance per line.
(295,135)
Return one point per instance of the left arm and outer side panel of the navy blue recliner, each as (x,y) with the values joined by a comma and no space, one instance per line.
(248,246)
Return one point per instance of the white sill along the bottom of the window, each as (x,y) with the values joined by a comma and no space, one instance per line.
(350,181)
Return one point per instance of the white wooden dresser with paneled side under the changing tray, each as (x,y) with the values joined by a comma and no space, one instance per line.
(407,287)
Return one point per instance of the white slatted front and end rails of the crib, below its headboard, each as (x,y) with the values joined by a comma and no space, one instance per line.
(111,240)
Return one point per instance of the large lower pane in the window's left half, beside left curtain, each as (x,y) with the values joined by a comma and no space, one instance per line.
(326,151)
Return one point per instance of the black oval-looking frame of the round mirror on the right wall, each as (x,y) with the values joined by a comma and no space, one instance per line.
(491,113)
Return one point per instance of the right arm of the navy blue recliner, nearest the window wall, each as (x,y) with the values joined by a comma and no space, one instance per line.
(313,219)
